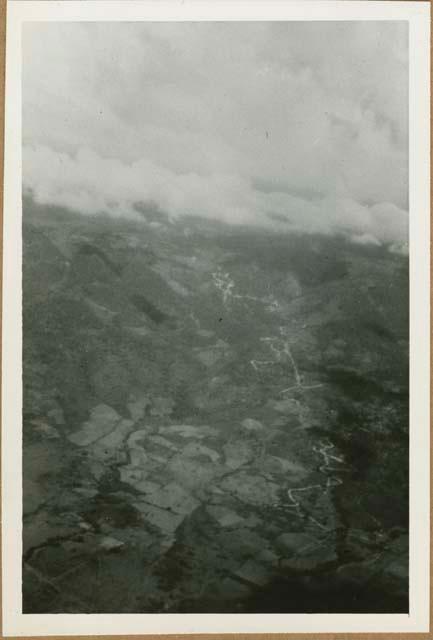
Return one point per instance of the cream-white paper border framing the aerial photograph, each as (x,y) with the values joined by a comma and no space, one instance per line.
(418,16)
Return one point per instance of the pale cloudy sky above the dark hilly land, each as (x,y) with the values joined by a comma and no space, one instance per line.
(300,125)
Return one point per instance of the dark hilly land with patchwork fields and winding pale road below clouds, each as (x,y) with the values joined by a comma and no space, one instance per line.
(215,418)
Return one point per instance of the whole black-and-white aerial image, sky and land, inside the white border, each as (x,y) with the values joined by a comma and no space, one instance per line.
(215,317)
